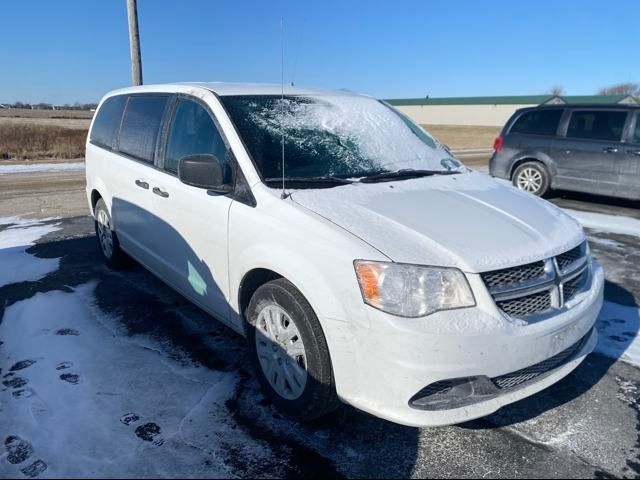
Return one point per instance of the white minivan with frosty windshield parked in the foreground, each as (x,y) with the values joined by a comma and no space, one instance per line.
(363,262)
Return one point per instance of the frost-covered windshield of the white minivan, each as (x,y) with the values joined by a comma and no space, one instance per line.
(332,136)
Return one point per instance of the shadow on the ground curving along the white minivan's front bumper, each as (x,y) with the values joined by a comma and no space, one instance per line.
(618,302)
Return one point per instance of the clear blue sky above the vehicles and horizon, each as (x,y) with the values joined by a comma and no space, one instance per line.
(65,51)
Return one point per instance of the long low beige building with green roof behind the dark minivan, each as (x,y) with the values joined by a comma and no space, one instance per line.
(489,111)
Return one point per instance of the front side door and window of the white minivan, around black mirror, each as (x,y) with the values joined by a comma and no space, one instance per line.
(190,236)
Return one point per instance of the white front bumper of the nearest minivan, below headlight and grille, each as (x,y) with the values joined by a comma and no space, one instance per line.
(394,359)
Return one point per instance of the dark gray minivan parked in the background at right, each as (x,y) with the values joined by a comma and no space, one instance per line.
(586,148)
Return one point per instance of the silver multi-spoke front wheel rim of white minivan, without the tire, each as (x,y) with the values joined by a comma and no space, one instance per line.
(281,352)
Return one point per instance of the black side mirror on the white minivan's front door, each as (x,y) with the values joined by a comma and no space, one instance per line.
(204,171)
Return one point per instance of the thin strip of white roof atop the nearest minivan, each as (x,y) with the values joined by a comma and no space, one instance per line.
(228,89)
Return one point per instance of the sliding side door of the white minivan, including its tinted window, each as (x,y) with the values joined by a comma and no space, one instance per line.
(132,173)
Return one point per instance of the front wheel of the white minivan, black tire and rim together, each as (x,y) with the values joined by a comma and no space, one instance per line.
(298,330)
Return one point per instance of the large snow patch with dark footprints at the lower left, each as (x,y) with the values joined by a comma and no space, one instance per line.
(100,404)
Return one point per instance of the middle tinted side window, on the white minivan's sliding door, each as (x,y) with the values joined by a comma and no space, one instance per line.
(141,126)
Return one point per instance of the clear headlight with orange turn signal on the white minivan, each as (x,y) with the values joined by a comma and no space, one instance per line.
(412,290)
